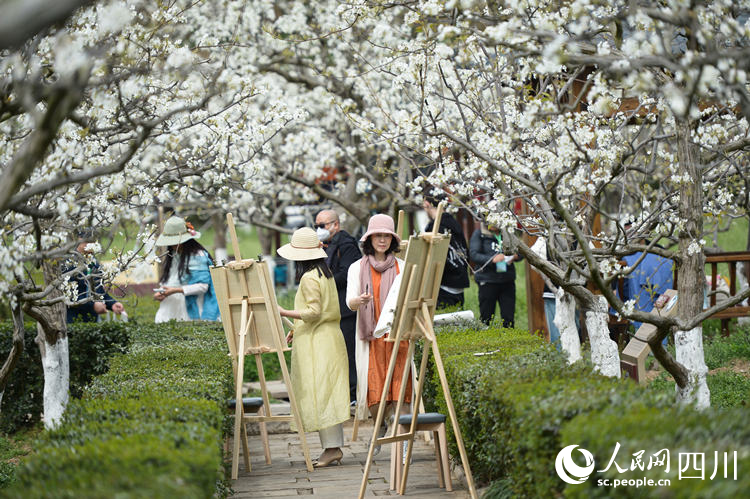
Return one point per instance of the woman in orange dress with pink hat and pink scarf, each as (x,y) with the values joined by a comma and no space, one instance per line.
(368,282)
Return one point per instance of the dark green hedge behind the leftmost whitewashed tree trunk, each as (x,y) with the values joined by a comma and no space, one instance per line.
(90,346)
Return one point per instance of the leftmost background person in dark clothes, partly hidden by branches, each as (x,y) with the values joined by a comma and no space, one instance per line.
(89,288)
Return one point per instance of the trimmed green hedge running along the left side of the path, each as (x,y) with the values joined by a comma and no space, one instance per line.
(152,426)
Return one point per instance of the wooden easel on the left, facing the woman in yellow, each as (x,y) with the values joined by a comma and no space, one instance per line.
(252,326)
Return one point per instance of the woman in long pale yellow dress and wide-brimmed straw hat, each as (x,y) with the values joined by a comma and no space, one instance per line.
(320,368)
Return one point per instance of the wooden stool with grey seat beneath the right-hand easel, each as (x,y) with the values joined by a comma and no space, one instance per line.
(430,421)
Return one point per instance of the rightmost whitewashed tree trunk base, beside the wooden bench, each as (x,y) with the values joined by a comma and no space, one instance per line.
(689,353)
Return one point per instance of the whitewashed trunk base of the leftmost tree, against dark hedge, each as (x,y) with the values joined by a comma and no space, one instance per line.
(56,381)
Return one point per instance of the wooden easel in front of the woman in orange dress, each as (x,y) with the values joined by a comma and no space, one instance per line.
(425,260)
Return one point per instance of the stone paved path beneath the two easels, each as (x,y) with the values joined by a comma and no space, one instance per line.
(287,476)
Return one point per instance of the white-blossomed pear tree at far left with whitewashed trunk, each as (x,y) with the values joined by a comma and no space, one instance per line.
(126,105)
